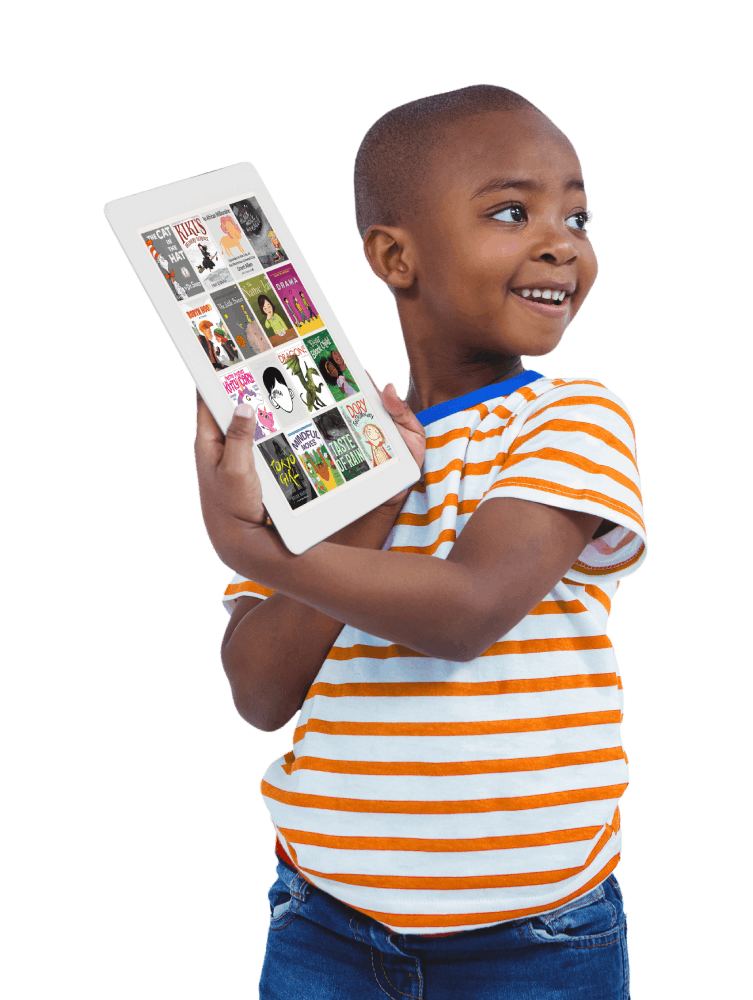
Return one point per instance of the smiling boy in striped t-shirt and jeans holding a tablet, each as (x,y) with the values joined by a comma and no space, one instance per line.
(449,810)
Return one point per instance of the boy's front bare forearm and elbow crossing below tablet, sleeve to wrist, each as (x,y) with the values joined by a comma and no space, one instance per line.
(507,559)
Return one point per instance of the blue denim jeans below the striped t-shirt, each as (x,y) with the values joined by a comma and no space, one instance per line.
(318,948)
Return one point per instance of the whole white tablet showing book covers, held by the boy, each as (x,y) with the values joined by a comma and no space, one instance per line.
(251,323)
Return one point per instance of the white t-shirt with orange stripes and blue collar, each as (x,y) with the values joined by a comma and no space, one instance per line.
(437,796)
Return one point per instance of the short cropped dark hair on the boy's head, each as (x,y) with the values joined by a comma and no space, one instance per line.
(394,157)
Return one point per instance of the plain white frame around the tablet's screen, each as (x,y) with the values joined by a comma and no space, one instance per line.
(128,217)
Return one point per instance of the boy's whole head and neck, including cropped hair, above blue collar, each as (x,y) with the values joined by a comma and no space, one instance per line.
(451,256)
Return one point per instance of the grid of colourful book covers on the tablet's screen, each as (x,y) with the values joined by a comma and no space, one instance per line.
(262,334)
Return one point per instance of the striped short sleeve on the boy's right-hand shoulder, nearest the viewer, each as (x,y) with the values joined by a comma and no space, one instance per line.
(575,446)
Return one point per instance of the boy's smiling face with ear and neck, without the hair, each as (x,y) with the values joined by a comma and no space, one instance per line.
(454,271)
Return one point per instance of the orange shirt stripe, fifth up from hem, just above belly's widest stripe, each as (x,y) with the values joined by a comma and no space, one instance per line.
(434,769)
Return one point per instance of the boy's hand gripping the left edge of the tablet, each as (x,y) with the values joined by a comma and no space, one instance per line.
(229,487)
